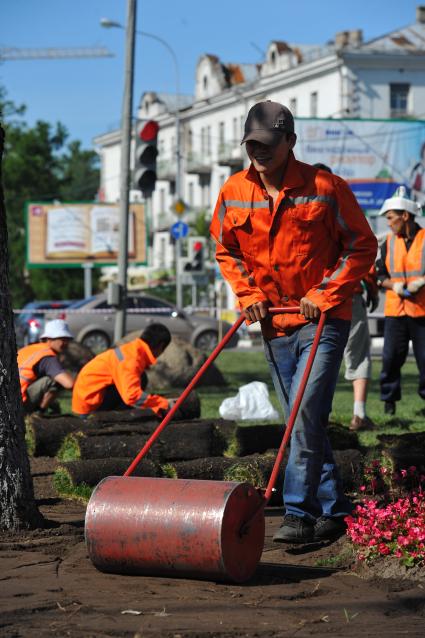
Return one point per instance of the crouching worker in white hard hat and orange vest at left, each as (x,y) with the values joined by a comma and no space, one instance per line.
(41,374)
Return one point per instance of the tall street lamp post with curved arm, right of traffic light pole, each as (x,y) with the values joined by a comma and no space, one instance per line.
(105,22)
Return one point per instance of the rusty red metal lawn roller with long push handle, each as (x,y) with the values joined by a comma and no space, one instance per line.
(184,528)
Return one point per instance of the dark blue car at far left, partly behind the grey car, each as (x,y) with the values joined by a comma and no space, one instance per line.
(29,323)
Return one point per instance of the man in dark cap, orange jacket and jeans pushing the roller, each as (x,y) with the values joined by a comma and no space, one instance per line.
(289,234)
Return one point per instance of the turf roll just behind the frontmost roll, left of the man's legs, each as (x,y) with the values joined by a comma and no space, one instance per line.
(181,441)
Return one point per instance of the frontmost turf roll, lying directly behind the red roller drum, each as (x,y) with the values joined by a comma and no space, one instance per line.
(70,475)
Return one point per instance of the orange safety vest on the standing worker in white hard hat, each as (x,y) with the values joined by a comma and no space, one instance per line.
(405,265)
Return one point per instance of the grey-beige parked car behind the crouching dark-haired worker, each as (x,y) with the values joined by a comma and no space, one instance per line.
(92,322)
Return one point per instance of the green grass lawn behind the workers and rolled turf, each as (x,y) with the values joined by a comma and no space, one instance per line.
(244,366)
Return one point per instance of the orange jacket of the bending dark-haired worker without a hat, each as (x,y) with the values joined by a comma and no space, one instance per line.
(121,366)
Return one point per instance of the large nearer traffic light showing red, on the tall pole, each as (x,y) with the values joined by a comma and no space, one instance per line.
(145,154)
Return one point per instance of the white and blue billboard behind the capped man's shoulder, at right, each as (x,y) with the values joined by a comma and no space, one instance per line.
(373,156)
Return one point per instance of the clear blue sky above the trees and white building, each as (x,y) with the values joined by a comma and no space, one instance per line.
(86,94)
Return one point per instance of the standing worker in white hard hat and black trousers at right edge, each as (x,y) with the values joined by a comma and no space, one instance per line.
(401,274)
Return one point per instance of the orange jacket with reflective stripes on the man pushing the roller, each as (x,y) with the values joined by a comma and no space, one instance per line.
(314,242)
